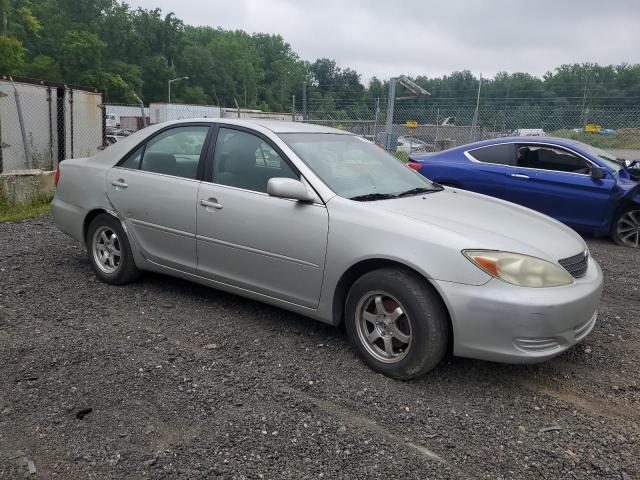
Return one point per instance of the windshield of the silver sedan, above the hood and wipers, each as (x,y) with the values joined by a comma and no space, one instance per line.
(355,168)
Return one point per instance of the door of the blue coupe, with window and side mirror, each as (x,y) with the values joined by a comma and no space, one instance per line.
(557,182)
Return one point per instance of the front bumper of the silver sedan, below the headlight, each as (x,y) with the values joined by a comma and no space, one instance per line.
(505,323)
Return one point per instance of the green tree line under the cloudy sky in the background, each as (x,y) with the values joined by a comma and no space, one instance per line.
(130,53)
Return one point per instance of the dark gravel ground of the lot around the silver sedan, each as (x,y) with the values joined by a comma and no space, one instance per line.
(187,382)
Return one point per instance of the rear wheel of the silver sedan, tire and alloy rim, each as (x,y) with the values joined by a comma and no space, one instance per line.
(110,252)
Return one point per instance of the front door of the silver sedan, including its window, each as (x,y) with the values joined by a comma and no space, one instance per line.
(251,240)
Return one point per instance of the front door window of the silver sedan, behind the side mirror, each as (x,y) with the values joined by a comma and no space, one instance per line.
(244,160)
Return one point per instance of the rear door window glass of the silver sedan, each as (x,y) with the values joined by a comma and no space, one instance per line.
(173,152)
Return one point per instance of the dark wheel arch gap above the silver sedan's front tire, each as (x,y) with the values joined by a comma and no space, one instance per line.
(365,266)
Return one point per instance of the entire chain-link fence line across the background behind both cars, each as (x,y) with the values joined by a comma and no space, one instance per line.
(42,124)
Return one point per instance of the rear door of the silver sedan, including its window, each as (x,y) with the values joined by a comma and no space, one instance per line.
(154,190)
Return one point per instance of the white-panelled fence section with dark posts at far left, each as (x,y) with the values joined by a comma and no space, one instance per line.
(42,124)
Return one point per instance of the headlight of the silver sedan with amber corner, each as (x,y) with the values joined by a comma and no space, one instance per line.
(521,270)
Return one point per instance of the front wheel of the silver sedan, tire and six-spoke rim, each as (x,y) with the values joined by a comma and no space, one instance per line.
(397,323)
